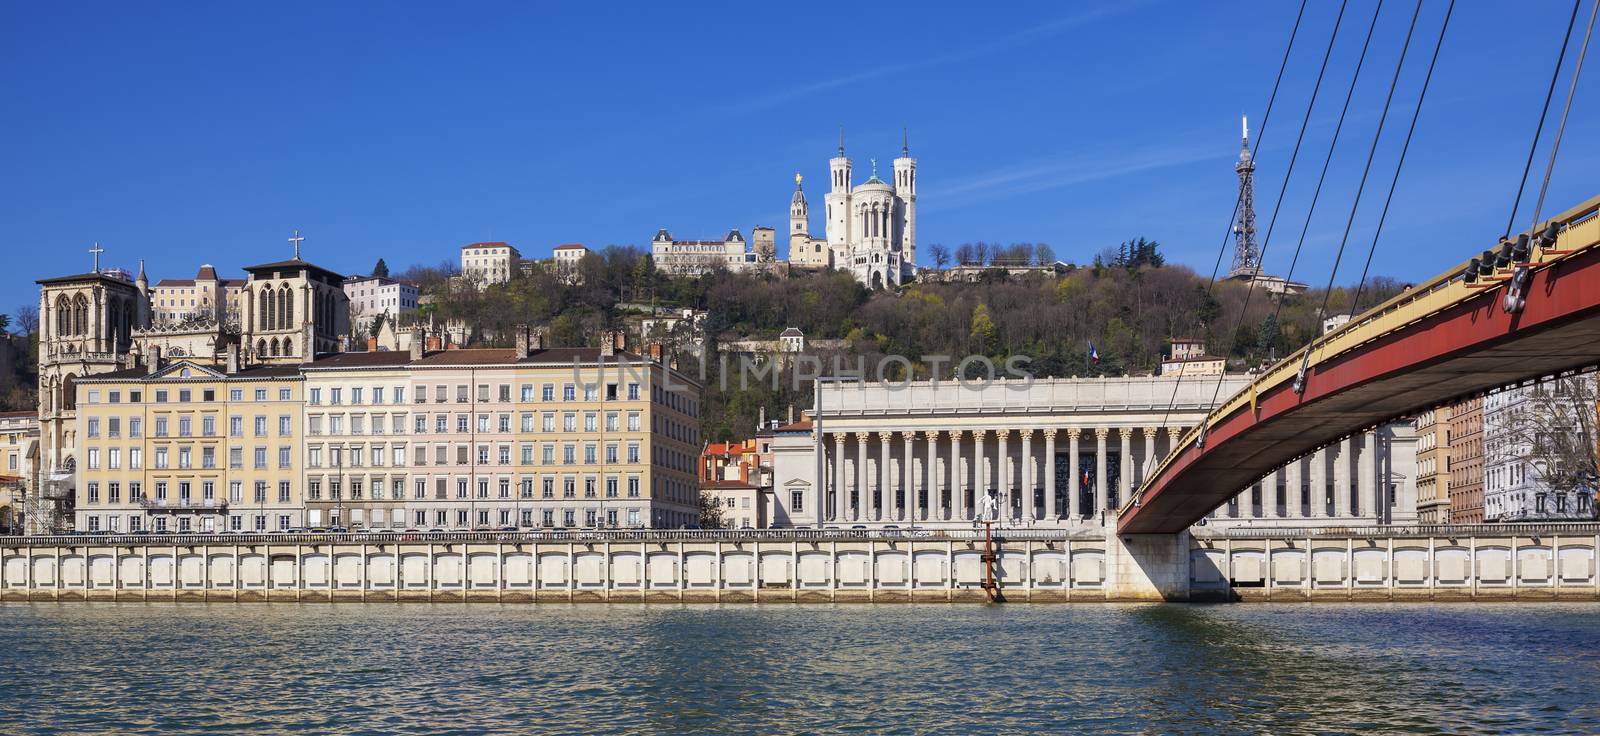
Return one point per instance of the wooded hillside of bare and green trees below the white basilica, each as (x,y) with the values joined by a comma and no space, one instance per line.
(1130,303)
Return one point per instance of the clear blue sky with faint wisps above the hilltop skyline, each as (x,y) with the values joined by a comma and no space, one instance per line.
(207,134)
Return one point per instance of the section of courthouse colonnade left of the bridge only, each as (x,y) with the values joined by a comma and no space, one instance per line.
(1026,474)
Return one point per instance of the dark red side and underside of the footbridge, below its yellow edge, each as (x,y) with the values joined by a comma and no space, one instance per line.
(1454,354)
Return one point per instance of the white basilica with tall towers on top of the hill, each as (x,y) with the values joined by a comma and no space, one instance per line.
(870,230)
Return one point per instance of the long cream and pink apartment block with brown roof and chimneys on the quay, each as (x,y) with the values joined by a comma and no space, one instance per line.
(482,439)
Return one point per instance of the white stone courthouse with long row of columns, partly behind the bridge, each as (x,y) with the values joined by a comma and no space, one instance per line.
(1052,454)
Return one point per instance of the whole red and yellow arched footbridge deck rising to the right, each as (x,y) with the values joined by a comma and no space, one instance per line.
(1527,310)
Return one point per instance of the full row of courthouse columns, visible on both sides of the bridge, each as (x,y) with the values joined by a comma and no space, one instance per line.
(1052,476)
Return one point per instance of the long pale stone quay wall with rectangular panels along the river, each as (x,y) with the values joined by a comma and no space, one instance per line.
(796,567)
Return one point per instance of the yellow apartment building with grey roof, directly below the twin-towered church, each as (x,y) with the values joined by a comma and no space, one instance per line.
(188,447)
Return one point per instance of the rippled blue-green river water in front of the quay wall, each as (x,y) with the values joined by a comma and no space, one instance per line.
(959,670)
